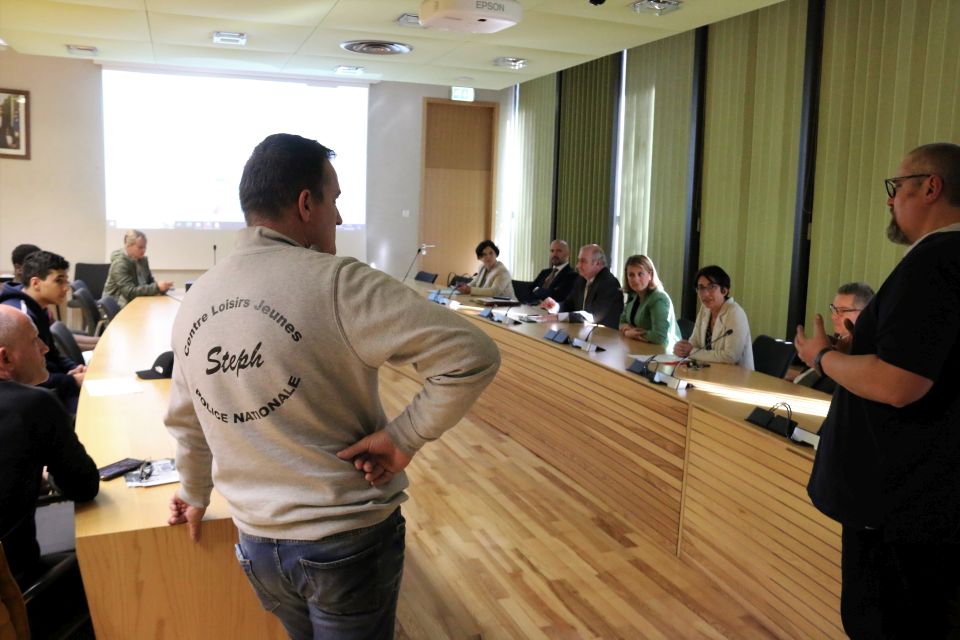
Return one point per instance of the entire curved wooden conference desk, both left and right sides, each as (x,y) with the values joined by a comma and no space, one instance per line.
(684,467)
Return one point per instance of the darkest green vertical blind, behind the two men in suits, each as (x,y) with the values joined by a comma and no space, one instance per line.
(588,102)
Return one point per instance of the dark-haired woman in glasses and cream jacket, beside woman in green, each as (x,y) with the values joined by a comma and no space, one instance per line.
(721,333)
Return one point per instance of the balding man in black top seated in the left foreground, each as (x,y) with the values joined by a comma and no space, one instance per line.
(35,432)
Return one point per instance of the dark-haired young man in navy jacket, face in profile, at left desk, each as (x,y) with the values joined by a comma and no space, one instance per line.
(46,283)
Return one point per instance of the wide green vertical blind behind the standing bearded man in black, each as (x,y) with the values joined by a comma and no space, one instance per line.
(890,83)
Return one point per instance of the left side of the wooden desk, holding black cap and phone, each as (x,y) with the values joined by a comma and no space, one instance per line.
(145,579)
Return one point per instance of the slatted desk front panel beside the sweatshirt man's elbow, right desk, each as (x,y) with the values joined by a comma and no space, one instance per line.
(622,440)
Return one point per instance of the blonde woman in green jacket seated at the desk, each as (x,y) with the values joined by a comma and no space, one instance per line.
(648,315)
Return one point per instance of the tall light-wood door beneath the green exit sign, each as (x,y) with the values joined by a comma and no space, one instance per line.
(457,196)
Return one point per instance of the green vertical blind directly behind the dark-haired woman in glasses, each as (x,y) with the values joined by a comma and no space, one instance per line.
(754,90)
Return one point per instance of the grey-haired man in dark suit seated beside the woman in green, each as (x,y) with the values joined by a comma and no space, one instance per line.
(596,291)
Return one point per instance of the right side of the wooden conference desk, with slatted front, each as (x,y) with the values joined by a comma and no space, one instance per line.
(685,466)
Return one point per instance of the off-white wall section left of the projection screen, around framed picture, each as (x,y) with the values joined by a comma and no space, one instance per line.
(56,198)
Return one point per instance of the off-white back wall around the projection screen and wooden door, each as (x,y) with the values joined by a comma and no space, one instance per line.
(56,199)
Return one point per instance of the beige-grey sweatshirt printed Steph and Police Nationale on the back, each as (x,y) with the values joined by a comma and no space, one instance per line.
(277,351)
